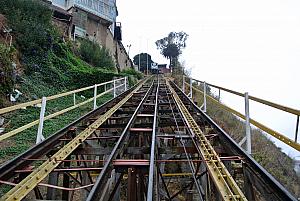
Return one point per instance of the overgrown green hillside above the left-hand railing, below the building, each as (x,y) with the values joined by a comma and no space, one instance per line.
(41,54)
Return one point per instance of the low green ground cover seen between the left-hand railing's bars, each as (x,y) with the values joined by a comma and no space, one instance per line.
(22,141)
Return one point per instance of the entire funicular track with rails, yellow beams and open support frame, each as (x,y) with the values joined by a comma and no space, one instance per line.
(149,143)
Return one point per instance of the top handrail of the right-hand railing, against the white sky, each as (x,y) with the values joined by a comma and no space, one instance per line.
(260,100)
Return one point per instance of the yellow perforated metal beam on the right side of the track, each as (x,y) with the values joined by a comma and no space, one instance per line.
(224,182)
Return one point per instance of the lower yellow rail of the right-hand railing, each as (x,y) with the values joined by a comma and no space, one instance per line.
(268,130)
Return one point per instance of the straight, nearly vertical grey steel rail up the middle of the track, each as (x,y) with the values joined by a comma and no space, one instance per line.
(153,142)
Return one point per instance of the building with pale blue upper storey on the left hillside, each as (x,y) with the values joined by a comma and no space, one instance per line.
(95,20)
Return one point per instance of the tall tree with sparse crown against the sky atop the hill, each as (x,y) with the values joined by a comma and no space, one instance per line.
(172,45)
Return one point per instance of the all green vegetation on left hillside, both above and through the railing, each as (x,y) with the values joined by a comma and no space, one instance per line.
(50,66)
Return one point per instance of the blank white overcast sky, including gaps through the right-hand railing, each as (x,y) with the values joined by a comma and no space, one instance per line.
(249,46)
